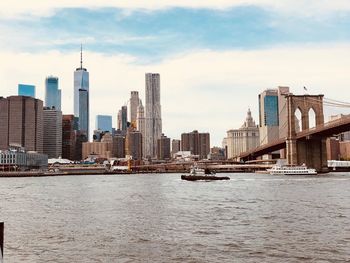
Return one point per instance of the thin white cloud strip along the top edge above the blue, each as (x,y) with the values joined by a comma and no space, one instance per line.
(26,9)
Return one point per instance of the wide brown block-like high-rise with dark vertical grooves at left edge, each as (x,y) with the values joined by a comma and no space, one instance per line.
(21,120)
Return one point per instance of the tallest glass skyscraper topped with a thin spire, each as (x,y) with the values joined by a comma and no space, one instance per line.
(81,97)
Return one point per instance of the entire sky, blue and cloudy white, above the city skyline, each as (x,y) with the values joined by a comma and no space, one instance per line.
(214,57)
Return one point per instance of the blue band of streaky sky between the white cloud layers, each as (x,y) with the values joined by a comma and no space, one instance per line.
(155,36)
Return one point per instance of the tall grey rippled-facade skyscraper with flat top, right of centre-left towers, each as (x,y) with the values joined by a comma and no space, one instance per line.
(153,119)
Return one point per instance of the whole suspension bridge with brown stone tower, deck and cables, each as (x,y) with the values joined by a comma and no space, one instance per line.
(308,145)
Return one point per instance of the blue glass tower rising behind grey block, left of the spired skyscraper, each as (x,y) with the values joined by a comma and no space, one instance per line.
(52,93)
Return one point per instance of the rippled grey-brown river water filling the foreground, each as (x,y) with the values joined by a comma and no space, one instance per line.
(159,218)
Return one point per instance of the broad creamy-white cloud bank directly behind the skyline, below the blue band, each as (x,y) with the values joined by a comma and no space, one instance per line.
(203,89)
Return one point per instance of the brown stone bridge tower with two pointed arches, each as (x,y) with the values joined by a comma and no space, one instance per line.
(312,150)
